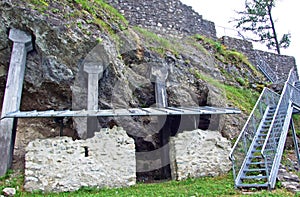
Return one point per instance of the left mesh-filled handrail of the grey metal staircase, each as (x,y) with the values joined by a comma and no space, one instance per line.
(266,98)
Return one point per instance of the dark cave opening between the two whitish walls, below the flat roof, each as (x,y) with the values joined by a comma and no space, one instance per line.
(172,125)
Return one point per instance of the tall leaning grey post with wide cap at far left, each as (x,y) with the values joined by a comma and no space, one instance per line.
(22,44)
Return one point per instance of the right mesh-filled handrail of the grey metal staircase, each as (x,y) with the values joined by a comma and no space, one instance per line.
(281,107)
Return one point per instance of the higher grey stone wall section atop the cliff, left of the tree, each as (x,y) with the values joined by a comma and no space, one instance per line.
(165,16)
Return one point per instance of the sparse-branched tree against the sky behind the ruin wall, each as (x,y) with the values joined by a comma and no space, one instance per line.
(257,18)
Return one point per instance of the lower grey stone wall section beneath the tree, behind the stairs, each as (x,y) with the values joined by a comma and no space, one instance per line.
(280,64)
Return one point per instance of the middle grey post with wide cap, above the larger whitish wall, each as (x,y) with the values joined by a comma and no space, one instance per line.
(95,72)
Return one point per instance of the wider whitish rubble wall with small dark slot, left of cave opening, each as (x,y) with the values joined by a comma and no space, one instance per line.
(61,164)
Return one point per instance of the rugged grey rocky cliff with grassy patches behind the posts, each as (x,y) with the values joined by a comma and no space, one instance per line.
(202,72)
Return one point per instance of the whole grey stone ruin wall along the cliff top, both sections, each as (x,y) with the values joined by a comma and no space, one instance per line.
(171,17)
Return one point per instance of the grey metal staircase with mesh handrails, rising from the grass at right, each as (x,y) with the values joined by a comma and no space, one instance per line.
(257,153)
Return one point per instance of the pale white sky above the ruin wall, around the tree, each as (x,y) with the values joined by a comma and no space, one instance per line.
(286,14)
